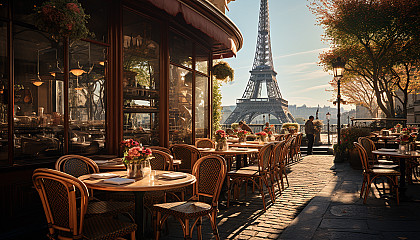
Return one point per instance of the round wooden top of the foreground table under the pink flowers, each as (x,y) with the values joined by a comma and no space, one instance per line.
(143,184)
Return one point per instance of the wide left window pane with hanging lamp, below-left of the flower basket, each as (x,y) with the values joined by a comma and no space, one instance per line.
(38,103)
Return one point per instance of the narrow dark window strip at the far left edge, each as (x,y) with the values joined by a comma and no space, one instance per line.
(3,96)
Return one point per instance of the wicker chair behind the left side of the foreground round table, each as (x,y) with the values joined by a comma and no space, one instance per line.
(77,166)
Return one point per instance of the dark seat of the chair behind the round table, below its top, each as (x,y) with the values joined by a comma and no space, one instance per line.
(109,207)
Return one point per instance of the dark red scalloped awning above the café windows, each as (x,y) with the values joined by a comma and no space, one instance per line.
(197,20)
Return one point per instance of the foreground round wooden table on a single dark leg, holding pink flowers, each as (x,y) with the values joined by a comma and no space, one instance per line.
(139,187)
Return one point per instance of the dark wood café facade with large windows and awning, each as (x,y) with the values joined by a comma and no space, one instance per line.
(144,73)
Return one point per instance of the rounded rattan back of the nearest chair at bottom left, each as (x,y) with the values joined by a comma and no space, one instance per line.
(64,211)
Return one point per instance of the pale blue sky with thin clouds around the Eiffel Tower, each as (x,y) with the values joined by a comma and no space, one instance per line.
(295,43)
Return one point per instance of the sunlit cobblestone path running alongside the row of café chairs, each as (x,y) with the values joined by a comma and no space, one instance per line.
(245,218)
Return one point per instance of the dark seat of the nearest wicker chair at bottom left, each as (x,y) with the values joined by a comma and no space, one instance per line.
(106,228)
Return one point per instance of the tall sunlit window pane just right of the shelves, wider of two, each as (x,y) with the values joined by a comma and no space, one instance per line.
(180,105)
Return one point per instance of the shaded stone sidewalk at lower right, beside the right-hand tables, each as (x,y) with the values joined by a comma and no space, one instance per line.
(337,212)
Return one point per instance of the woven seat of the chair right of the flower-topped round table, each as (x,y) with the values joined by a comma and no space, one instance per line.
(184,210)
